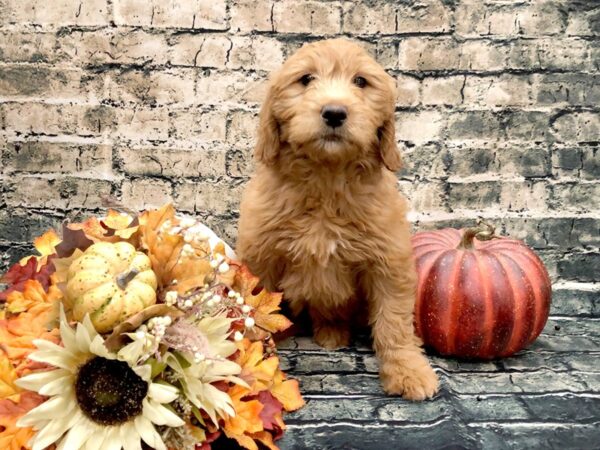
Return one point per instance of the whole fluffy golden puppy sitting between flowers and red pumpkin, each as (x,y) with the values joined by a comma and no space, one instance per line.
(322,219)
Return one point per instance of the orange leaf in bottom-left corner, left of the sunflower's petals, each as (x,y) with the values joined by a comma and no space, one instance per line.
(11,436)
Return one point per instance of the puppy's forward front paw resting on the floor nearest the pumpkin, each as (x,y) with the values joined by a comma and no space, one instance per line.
(412,381)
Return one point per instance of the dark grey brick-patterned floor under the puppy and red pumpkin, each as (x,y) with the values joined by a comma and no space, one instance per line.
(547,396)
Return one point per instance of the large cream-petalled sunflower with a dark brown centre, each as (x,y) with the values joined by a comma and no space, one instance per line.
(97,399)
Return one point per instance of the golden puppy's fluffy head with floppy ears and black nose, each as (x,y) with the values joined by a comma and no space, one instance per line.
(330,102)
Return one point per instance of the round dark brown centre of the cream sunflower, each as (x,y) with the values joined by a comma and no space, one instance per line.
(109,392)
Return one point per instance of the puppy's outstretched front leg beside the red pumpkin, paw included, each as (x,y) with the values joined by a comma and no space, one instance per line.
(403,368)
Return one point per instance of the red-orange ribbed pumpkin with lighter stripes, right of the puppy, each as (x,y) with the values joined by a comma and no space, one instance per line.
(479,295)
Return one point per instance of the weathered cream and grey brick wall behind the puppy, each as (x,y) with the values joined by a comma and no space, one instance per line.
(152,101)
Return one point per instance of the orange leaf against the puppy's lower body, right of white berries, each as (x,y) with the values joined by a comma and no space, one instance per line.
(265,304)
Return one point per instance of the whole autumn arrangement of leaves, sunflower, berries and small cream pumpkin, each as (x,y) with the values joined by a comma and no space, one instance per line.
(139,331)
